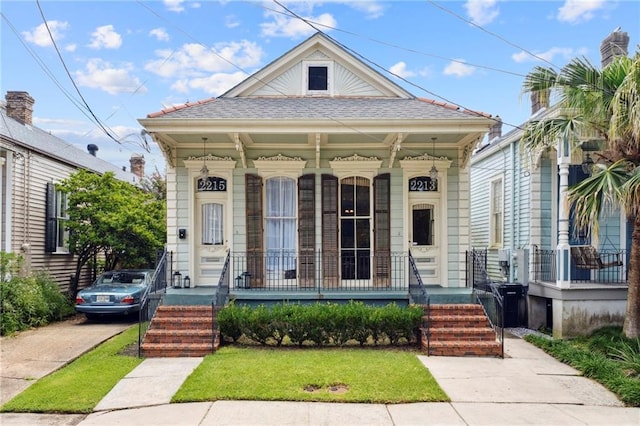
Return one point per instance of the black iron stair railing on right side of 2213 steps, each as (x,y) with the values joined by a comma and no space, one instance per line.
(486,292)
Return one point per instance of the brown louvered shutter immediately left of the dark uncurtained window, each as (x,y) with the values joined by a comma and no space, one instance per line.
(330,254)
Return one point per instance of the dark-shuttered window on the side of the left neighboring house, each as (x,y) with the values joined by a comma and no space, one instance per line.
(57,234)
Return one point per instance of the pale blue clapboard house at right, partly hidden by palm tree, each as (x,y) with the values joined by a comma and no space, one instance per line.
(575,283)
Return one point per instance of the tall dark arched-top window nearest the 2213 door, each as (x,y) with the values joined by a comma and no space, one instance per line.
(355,228)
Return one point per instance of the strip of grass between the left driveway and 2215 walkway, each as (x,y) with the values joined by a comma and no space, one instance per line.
(79,386)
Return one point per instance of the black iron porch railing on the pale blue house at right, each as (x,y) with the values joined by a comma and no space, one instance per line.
(544,268)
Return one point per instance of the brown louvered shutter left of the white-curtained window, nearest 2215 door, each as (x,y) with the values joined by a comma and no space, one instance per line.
(255,267)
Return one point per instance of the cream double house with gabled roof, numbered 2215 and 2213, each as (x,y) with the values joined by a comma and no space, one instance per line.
(318,173)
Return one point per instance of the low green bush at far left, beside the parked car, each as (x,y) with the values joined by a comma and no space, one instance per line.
(31,302)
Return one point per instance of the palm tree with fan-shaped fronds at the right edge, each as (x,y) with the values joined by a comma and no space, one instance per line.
(604,106)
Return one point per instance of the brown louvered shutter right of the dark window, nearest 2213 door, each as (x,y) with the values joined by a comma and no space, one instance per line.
(382,230)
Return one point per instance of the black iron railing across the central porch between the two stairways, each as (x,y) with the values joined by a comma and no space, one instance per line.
(318,271)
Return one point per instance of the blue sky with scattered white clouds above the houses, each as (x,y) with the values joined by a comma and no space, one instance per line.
(131,58)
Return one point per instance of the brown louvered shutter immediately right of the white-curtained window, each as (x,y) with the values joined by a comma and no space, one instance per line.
(307,229)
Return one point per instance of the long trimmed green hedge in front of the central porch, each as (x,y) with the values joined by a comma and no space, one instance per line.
(321,324)
